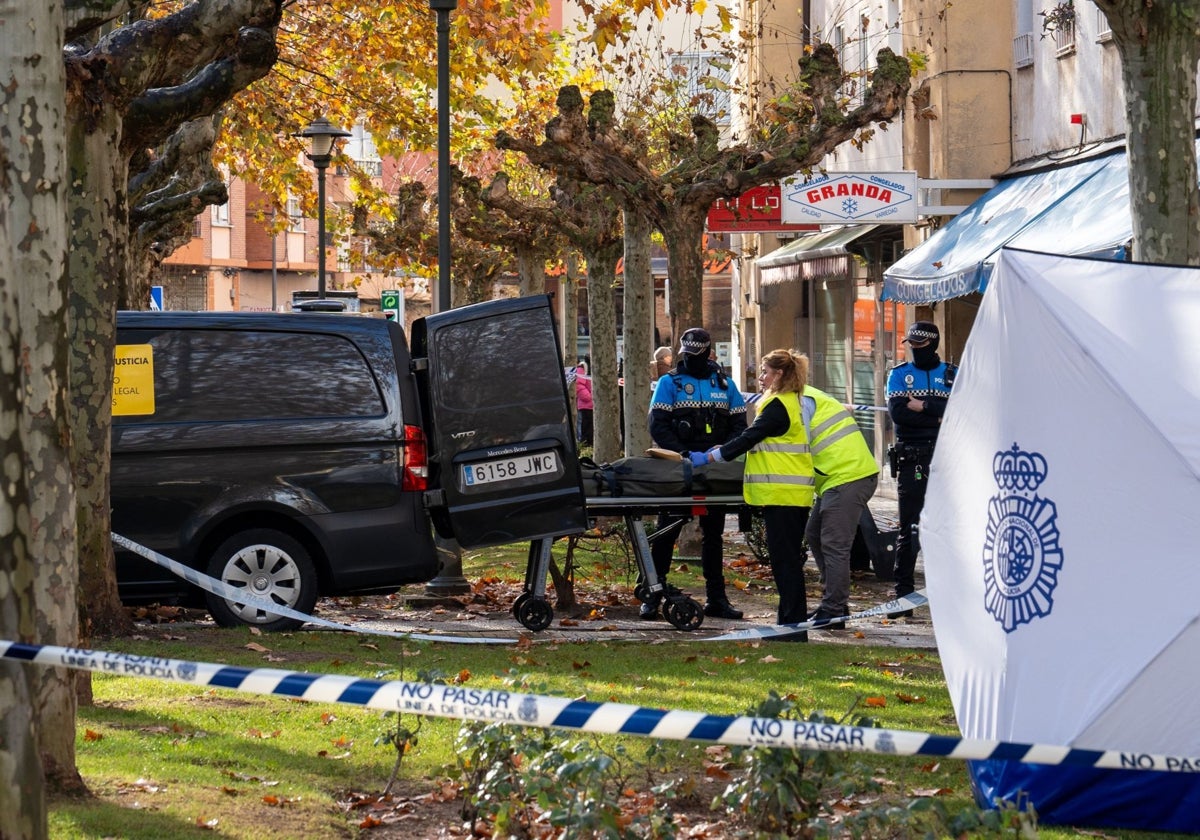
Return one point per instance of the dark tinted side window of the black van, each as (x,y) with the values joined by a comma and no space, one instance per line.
(227,376)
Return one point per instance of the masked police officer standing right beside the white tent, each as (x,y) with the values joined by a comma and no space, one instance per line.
(917,394)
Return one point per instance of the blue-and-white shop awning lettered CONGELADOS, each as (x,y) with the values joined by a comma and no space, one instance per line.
(958,259)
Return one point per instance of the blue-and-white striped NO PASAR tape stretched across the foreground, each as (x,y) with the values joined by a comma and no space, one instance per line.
(547,712)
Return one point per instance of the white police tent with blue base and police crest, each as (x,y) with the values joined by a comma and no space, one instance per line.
(1061,532)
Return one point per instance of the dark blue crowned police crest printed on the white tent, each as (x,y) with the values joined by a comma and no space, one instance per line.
(1022,556)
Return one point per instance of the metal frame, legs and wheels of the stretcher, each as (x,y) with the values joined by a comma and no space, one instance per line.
(681,610)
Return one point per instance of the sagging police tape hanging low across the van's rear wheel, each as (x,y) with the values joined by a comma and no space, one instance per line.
(209,584)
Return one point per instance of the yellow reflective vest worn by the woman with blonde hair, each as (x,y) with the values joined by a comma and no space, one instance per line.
(779,471)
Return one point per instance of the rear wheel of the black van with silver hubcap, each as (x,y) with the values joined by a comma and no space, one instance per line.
(271,566)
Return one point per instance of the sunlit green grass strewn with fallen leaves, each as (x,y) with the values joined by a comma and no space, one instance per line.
(169,760)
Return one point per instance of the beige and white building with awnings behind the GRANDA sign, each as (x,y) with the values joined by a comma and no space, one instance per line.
(1016,131)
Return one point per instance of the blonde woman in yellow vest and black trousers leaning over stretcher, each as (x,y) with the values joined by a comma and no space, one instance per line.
(779,477)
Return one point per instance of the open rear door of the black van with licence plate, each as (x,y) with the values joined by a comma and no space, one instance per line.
(496,413)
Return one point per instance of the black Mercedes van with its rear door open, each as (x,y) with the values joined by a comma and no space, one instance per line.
(292,454)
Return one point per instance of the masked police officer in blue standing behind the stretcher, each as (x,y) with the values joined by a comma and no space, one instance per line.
(695,409)
